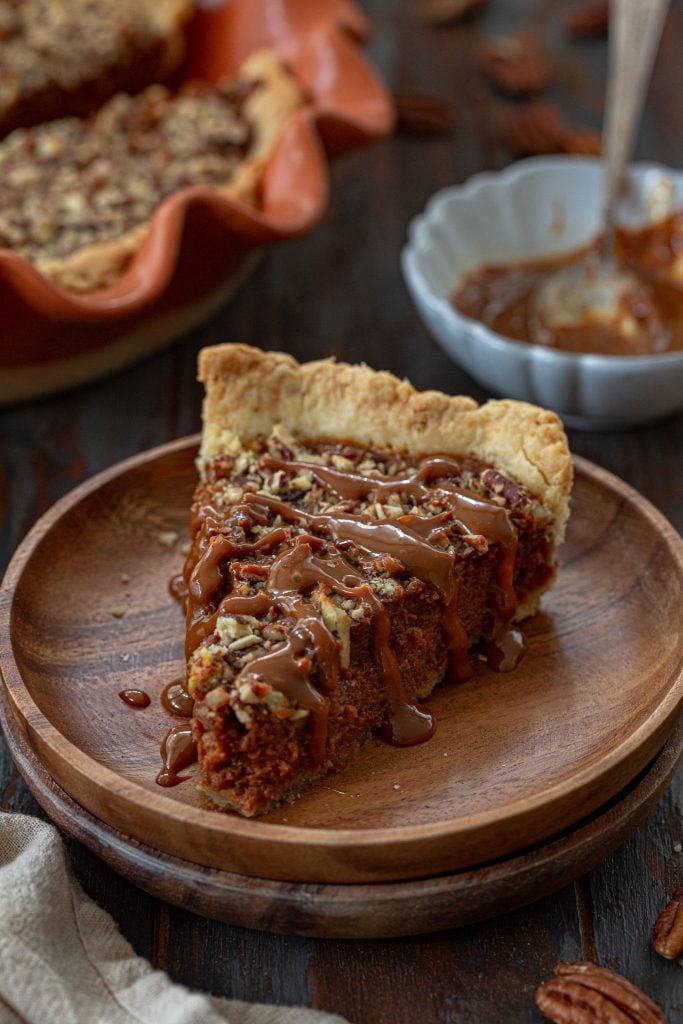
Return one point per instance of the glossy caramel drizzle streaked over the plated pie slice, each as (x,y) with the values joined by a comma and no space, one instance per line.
(310,564)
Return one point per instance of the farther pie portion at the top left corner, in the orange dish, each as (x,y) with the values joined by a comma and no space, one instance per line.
(62,58)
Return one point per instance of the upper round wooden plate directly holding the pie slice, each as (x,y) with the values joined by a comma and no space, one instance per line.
(517,758)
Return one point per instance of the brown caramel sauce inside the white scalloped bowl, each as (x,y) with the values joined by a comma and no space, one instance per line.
(502,297)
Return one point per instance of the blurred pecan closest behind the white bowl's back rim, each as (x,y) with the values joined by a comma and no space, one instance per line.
(539,127)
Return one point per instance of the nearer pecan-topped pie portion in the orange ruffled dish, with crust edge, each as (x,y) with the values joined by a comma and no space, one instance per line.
(77,196)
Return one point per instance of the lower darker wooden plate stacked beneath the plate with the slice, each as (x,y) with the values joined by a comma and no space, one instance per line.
(361,912)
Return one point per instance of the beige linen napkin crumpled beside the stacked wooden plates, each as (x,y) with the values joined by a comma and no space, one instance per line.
(63,960)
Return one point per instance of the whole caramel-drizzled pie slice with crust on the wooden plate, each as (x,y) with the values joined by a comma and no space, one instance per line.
(353,539)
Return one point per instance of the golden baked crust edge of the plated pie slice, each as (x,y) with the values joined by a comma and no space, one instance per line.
(249,392)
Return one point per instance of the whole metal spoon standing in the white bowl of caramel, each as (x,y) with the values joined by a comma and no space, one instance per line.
(596,292)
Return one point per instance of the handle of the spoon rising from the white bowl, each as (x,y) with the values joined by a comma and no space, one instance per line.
(635,27)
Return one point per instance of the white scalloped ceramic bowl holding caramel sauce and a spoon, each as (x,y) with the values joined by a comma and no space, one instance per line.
(537,207)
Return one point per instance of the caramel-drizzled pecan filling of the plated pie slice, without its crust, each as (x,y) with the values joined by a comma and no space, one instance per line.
(328,589)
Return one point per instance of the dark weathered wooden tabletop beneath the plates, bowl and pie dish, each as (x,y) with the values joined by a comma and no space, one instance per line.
(340,291)
